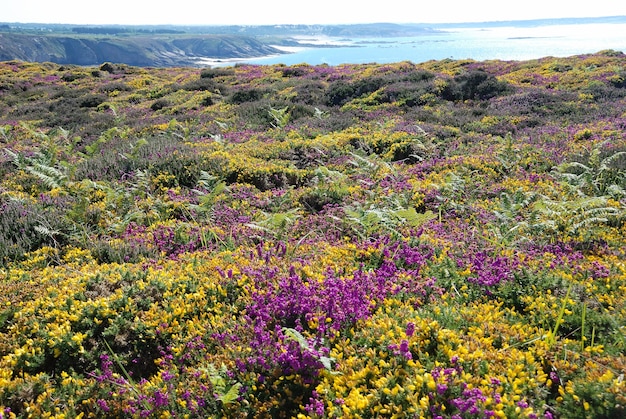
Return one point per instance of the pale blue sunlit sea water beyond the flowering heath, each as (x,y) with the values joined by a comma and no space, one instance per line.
(504,43)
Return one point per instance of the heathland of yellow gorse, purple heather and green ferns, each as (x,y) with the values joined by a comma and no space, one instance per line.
(443,239)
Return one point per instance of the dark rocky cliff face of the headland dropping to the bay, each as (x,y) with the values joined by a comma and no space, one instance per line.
(157,51)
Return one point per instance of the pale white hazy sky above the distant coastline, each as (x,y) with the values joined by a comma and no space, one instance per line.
(250,12)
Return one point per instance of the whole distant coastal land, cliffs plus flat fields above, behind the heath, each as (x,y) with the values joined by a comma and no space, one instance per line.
(167,46)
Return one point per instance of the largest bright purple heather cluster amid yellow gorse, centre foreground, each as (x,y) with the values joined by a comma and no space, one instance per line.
(321,307)
